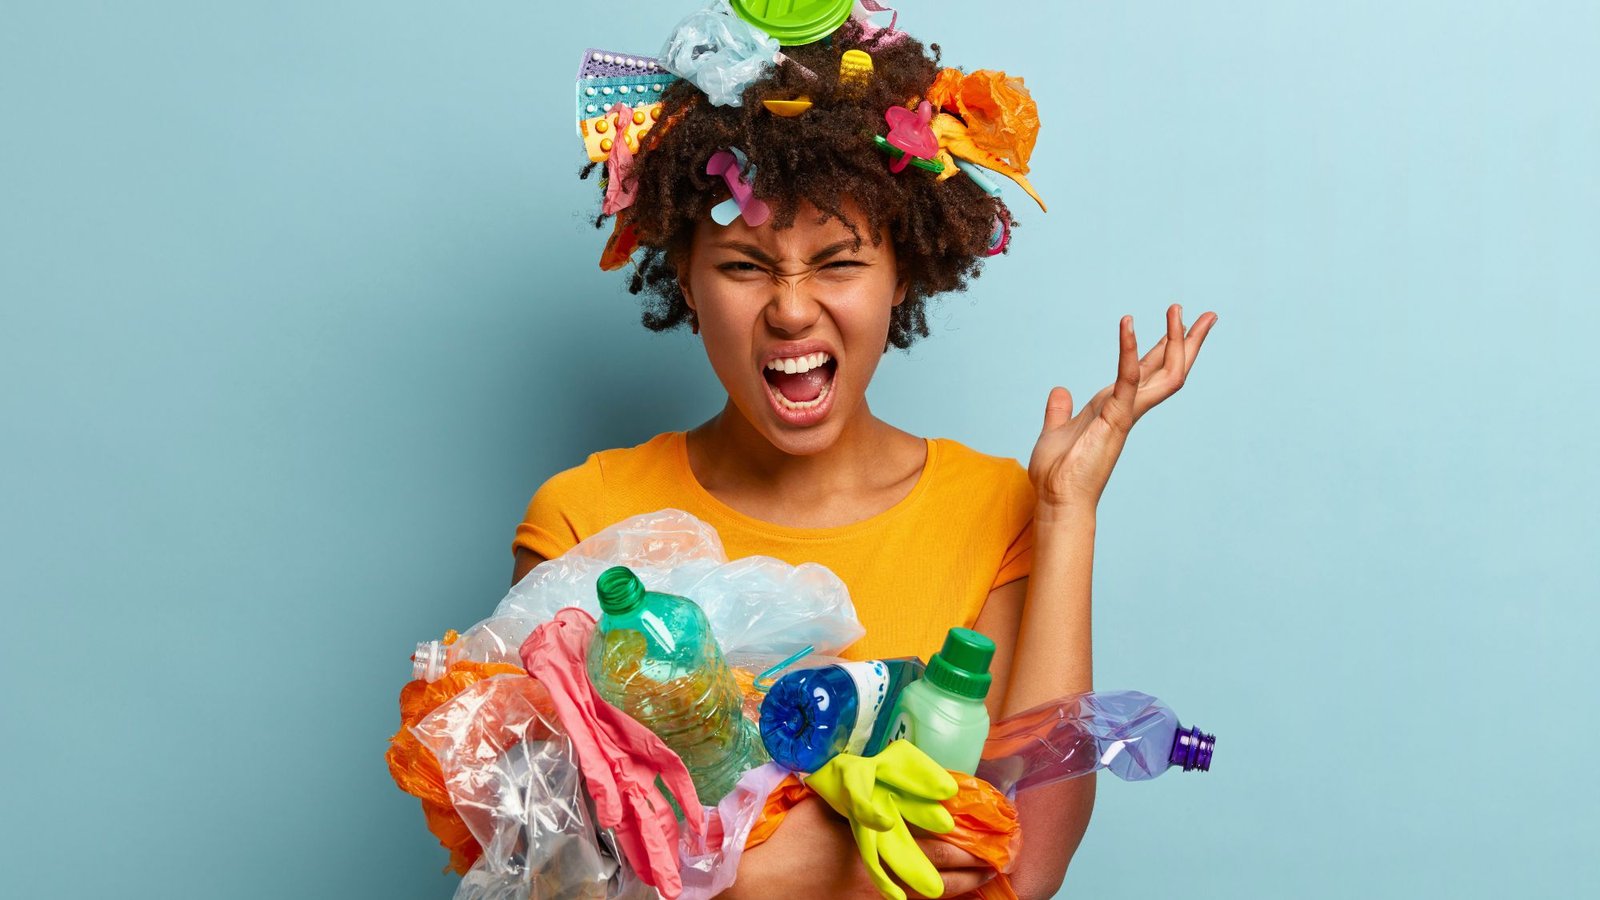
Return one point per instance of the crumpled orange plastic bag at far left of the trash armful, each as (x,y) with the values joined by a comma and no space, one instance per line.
(415,769)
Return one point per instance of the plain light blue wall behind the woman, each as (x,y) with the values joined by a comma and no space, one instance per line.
(298,305)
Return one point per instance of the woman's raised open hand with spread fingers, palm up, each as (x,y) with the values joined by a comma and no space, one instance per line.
(1076,454)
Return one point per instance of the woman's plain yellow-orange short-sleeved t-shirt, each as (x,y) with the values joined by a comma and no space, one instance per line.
(914,571)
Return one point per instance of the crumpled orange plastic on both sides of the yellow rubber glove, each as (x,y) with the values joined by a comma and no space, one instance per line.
(986,826)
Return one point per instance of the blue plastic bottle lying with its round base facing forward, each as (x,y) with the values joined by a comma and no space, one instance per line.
(814,715)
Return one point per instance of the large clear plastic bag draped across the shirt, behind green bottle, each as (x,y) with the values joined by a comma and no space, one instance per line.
(756,606)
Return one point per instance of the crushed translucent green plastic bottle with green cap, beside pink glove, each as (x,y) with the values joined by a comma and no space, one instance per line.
(655,659)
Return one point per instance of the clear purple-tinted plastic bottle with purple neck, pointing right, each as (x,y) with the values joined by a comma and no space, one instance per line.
(1134,734)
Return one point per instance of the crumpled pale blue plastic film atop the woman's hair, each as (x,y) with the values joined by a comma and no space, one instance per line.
(719,54)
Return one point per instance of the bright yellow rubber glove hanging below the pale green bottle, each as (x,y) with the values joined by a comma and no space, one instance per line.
(879,797)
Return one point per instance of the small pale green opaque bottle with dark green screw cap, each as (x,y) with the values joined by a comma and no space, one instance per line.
(945,712)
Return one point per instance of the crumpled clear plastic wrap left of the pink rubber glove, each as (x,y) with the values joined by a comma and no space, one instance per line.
(514,781)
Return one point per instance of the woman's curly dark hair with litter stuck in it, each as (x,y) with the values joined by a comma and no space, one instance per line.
(942,230)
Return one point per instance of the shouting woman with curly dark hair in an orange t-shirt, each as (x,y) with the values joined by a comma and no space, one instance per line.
(796,308)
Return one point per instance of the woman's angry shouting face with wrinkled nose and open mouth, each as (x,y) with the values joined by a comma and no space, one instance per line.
(794,321)
